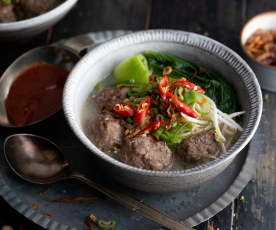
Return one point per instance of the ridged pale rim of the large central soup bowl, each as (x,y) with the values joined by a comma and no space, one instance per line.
(182,37)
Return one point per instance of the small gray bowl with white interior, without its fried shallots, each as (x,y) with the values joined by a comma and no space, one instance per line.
(266,74)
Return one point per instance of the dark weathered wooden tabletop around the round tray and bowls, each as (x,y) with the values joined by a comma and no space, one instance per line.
(221,20)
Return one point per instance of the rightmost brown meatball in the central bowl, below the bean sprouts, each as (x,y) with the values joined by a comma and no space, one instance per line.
(199,148)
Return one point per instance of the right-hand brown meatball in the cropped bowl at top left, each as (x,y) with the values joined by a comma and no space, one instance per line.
(33,8)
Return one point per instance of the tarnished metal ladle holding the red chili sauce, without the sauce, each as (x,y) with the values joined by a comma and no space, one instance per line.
(65,55)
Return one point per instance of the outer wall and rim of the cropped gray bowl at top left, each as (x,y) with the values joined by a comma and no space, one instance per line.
(28,28)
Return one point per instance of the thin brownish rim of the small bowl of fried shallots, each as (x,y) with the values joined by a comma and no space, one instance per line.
(241,35)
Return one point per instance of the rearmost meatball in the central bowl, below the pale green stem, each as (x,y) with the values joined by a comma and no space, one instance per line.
(109,97)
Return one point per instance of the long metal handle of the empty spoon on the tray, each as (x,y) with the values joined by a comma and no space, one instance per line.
(134,205)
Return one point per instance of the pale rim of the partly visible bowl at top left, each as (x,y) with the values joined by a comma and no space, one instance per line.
(30,22)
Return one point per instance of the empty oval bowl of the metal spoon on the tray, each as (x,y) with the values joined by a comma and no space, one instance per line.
(35,159)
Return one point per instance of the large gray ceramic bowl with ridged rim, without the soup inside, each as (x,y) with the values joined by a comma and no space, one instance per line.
(100,62)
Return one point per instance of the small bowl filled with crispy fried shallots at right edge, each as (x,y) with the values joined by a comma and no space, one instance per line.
(258,40)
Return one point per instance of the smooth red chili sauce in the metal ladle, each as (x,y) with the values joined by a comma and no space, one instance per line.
(35,94)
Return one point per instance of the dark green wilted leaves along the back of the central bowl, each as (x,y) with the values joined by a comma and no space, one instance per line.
(215,87)
